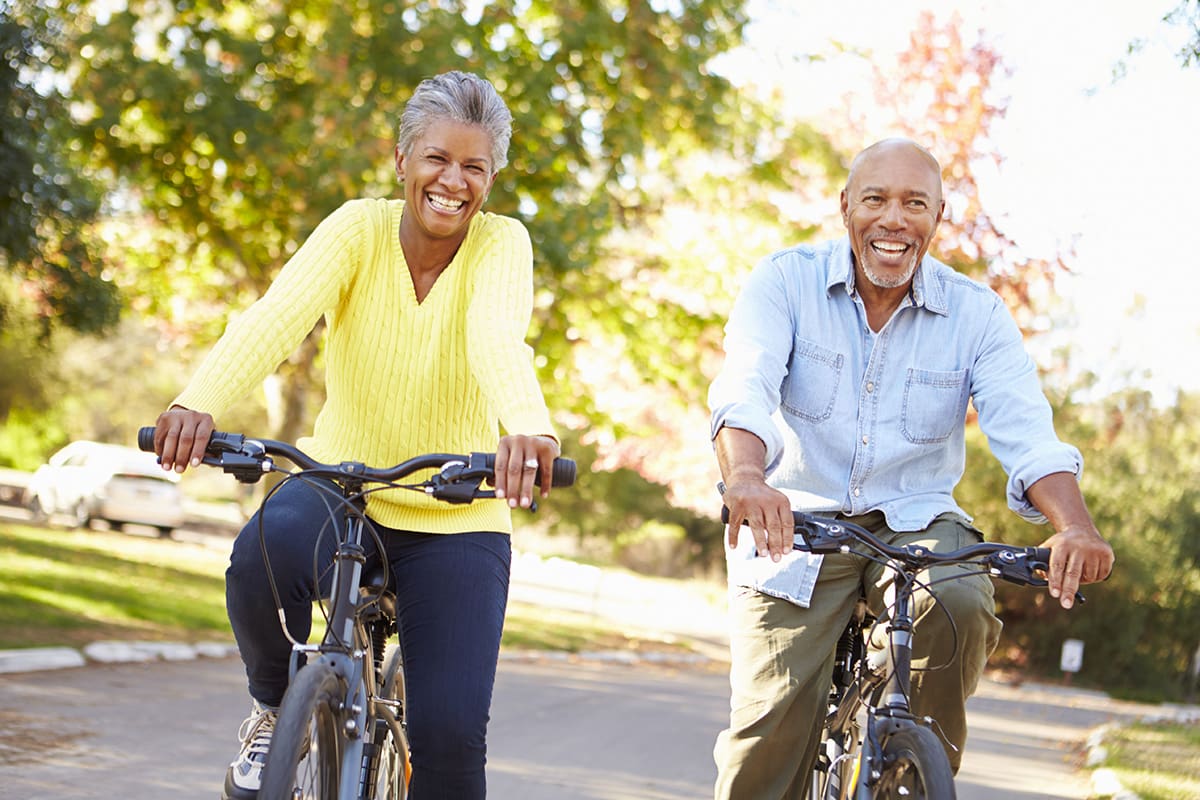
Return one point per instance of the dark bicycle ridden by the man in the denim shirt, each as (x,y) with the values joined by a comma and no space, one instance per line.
(873,748)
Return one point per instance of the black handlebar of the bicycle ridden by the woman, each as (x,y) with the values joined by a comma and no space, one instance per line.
(248,460)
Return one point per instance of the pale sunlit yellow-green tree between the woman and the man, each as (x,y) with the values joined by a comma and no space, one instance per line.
(650,327)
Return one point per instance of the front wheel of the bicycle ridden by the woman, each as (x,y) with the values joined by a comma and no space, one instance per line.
(305,757)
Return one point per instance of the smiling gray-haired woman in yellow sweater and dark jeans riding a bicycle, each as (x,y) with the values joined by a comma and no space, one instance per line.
(428,302)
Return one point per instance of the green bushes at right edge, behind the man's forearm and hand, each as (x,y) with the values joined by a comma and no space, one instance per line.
(1142,627)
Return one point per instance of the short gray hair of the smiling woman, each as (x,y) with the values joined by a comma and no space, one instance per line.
(463,98)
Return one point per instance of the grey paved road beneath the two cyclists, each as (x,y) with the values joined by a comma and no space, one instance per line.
(561,731)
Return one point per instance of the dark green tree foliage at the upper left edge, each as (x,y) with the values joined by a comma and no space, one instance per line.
(47,207)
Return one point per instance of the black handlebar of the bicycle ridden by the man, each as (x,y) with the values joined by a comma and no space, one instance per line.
(1021,566)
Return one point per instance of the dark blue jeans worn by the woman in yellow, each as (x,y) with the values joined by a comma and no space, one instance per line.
(452,593)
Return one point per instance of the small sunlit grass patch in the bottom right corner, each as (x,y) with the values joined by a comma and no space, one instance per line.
(1157,761)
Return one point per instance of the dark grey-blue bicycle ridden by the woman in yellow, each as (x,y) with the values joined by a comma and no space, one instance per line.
(341,731)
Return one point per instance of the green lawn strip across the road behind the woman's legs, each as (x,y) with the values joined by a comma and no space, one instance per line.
(68,588)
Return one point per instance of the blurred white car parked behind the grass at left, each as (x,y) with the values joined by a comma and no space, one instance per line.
(88,482)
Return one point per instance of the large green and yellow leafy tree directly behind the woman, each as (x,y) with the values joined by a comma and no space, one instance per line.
(236,128)
